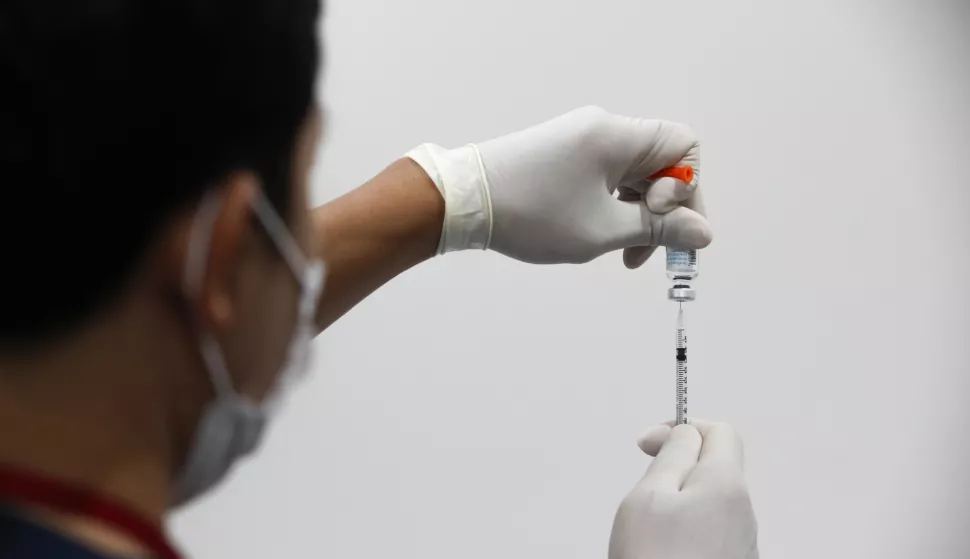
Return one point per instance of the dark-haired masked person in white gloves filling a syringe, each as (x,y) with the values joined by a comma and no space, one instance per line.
(164,274)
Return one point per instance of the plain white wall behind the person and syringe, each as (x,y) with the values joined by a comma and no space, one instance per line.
(478,408)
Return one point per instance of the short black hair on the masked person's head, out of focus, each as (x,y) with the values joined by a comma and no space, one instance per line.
(117,114)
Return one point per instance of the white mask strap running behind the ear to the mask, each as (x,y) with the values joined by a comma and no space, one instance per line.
(200,240)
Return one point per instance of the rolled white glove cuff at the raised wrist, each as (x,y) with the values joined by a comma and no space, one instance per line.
(460,178)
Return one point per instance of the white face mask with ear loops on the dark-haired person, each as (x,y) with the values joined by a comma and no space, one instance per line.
(232,425)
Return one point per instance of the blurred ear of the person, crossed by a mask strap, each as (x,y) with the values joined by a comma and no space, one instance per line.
(228,241)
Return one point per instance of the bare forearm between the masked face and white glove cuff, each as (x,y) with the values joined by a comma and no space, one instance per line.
(375,232)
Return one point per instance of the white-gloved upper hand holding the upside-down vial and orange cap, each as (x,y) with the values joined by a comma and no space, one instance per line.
(545,195)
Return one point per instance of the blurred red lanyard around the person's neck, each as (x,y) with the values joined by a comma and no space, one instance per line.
(27,488)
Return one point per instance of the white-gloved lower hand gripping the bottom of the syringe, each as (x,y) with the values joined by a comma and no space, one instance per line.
(692,503)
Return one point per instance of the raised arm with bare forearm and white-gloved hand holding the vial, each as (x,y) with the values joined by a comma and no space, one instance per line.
(543,195)
